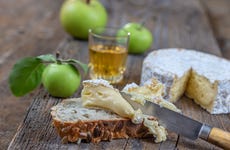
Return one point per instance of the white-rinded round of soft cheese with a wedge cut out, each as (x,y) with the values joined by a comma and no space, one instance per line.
(202,77)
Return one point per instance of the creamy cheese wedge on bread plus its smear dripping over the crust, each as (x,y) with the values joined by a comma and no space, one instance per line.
(99,93)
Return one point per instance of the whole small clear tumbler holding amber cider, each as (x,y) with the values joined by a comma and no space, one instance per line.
(108,52)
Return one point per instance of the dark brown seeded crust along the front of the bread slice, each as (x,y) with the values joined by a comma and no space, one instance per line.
(98,130)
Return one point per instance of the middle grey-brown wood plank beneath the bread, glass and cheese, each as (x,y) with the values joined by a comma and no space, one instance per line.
(174,23)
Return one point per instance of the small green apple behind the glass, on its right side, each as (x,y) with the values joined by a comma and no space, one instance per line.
(140,38)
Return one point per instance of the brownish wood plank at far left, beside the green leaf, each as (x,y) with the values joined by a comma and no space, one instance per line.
(27,28)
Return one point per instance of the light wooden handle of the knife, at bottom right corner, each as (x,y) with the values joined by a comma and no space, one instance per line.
(220,138)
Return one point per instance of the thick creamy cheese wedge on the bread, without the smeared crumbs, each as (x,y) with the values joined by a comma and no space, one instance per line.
(100,93)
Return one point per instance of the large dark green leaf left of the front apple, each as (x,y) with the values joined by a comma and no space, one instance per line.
(26,75)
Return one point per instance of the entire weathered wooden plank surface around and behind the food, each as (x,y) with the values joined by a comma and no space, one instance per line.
(31,28)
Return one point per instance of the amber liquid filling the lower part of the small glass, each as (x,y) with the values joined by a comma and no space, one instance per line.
(107,62)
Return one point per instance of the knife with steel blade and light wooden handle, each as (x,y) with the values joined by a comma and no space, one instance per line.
(183,125)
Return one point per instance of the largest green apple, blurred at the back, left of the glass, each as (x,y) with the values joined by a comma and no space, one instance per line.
(78,16)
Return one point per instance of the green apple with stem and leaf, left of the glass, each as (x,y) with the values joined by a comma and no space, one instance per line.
(61,80)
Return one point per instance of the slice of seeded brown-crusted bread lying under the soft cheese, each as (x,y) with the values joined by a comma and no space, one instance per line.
(75,123)
